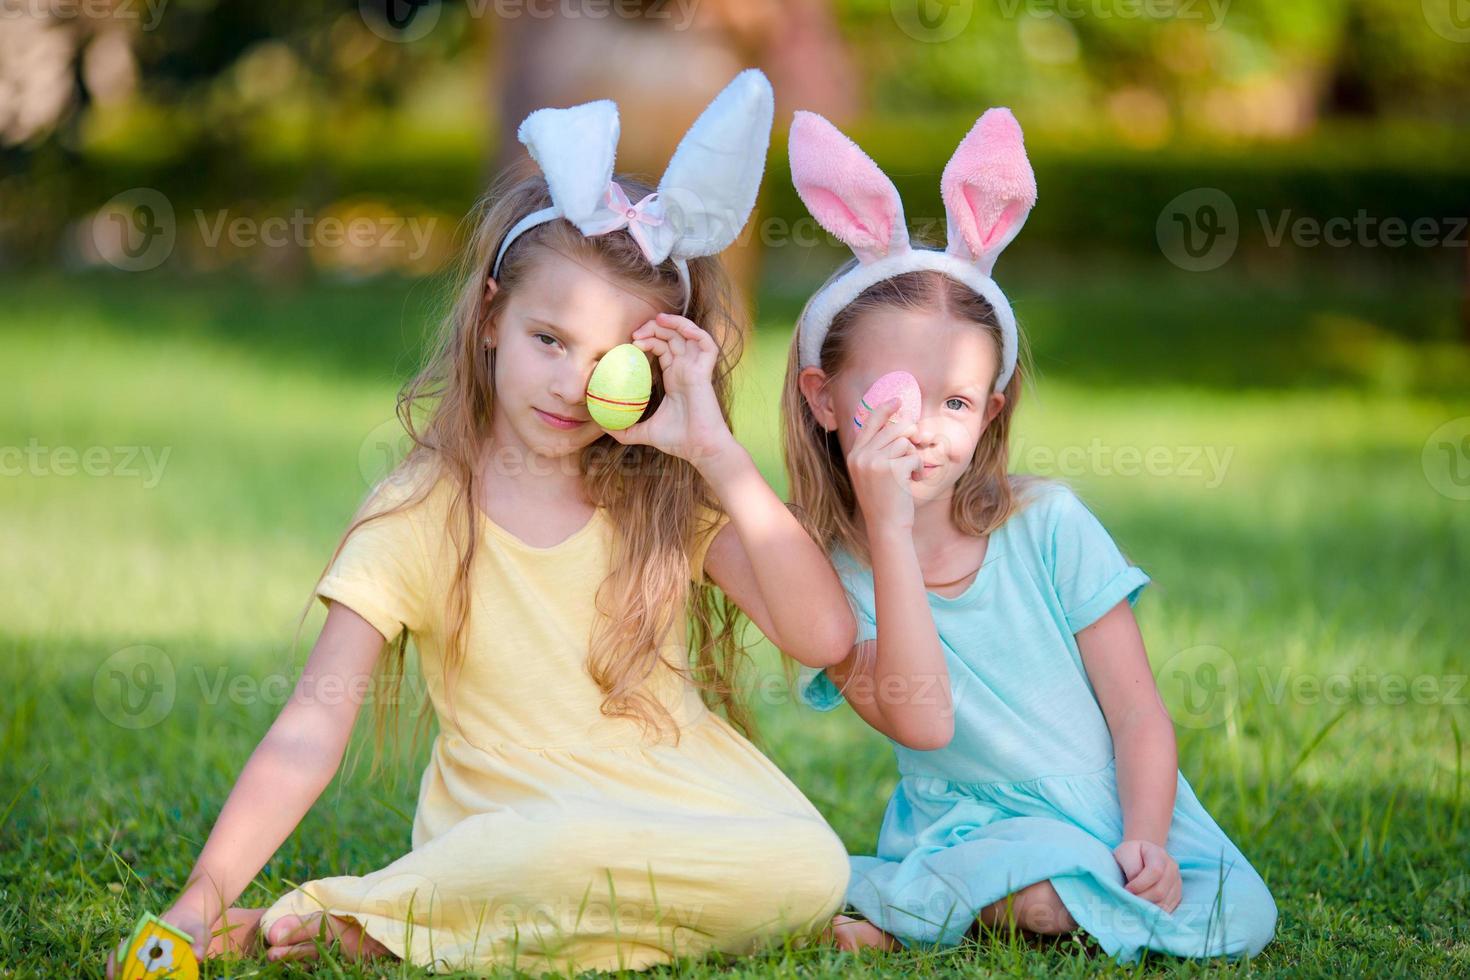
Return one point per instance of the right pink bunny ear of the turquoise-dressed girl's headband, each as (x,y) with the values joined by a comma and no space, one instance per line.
(989,184)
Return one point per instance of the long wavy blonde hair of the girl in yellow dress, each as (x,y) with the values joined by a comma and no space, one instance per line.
(653,500)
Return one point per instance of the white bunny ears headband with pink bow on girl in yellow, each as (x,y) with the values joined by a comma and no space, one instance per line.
(703,199)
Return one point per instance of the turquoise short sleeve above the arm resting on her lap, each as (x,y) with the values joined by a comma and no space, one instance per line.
(1089,571)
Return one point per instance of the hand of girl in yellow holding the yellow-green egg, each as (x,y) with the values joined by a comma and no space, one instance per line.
(689,422)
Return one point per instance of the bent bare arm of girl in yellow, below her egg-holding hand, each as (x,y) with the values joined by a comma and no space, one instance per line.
(789,590)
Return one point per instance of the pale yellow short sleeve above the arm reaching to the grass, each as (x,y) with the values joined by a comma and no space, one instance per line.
(381,571)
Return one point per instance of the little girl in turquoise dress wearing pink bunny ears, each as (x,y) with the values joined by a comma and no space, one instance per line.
(997,647)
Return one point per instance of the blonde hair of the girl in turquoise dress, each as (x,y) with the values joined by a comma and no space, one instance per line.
(821,490)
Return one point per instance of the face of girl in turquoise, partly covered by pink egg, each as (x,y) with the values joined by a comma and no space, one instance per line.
(955,364)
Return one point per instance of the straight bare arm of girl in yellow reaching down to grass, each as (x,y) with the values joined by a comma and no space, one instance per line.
(289,771)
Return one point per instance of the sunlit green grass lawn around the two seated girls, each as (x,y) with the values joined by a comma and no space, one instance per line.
(1288,496)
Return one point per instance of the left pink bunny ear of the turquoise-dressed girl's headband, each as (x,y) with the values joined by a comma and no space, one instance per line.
(842,187)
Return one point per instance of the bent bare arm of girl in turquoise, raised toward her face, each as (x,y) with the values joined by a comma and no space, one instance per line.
(900,684)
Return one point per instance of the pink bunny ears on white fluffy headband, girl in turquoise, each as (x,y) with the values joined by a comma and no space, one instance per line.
(989,190)
